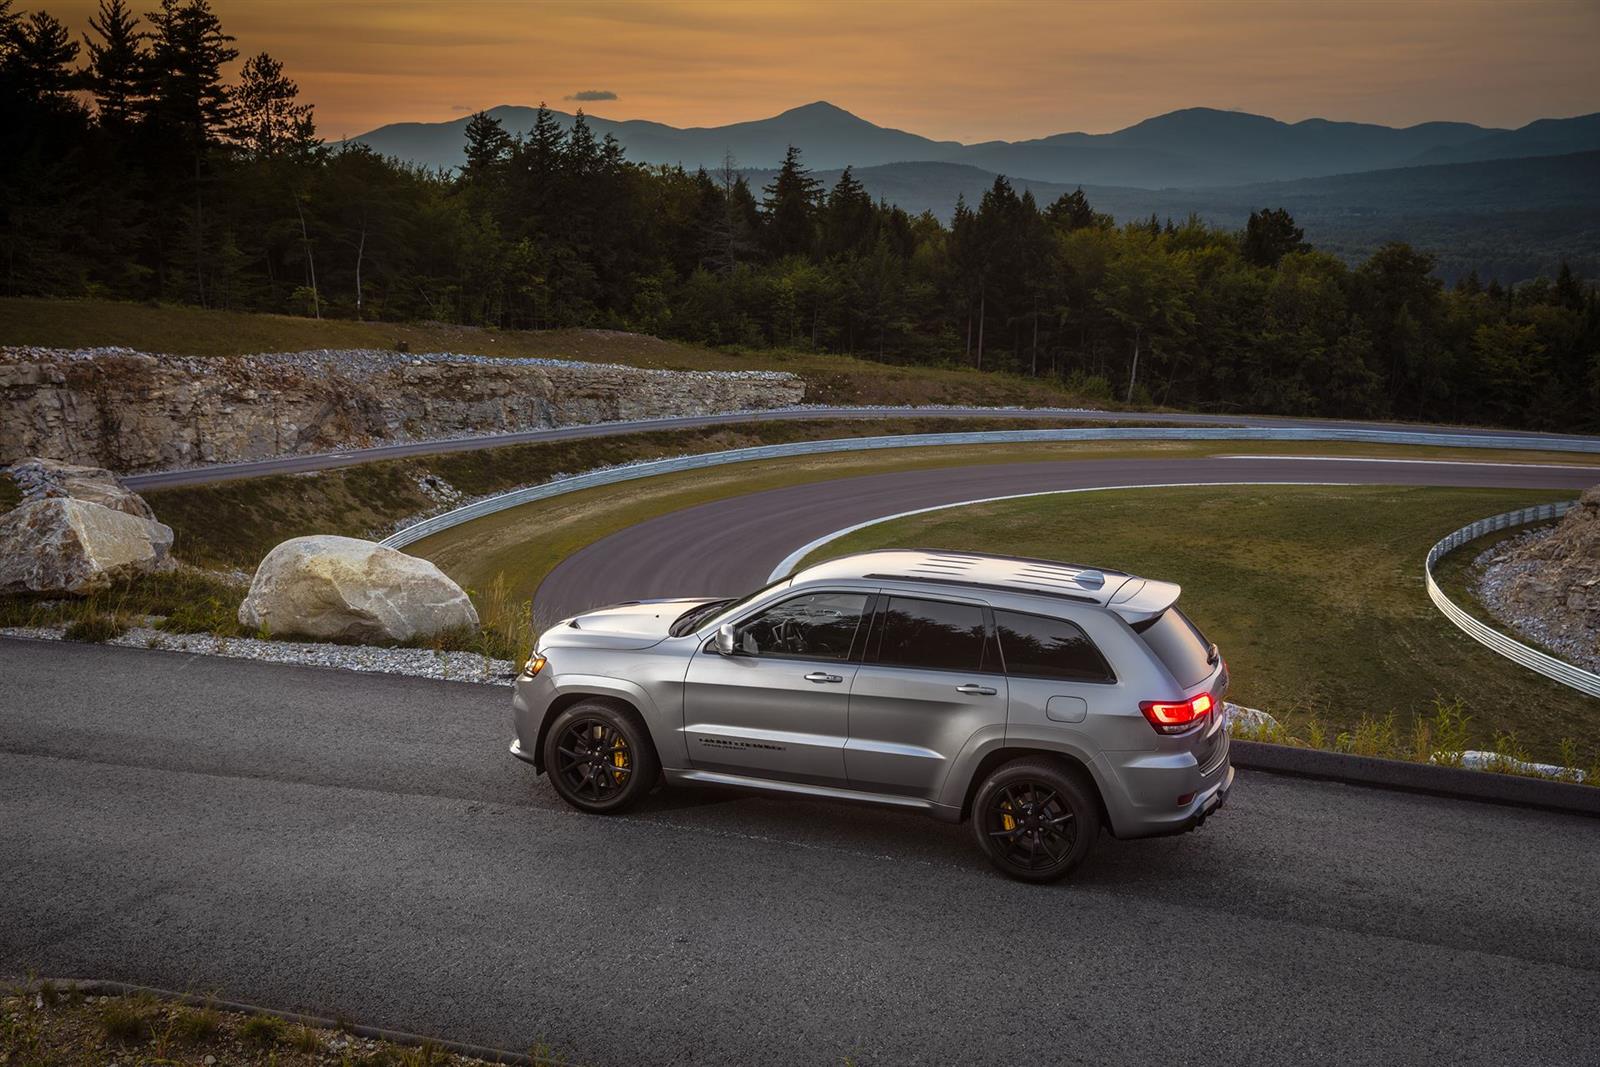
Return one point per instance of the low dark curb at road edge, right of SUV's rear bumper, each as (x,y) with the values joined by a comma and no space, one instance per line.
(1418,778)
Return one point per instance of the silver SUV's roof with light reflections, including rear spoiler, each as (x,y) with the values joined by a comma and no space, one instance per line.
(1130,596)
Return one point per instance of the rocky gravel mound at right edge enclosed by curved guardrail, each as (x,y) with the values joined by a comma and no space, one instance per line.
(1546,585)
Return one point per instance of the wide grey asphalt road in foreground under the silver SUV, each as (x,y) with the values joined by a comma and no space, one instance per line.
(364,847)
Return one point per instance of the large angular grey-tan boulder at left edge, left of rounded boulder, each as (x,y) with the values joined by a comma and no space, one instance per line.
(70,546)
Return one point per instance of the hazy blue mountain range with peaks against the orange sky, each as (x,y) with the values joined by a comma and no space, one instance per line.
(1185,150)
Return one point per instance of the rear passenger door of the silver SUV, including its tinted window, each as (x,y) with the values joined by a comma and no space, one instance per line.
(930,679)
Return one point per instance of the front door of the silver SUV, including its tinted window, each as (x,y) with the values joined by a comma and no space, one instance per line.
(778,708)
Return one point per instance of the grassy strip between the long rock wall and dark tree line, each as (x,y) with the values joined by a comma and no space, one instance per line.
(834,380)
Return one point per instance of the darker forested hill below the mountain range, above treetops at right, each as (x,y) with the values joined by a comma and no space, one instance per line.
(1510,220)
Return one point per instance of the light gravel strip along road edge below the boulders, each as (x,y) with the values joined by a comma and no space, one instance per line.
(422,663)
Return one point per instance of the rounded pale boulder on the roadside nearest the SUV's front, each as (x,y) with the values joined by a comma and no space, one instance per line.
(353,591)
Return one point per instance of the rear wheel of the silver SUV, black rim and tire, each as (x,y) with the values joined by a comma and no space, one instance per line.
(1036,820)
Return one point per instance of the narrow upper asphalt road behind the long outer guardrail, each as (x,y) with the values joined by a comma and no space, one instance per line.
(326,462)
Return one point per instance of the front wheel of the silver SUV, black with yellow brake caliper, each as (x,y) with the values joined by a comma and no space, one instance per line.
(601,757)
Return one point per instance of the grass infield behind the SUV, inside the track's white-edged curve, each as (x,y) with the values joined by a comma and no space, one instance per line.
(1313,593)
